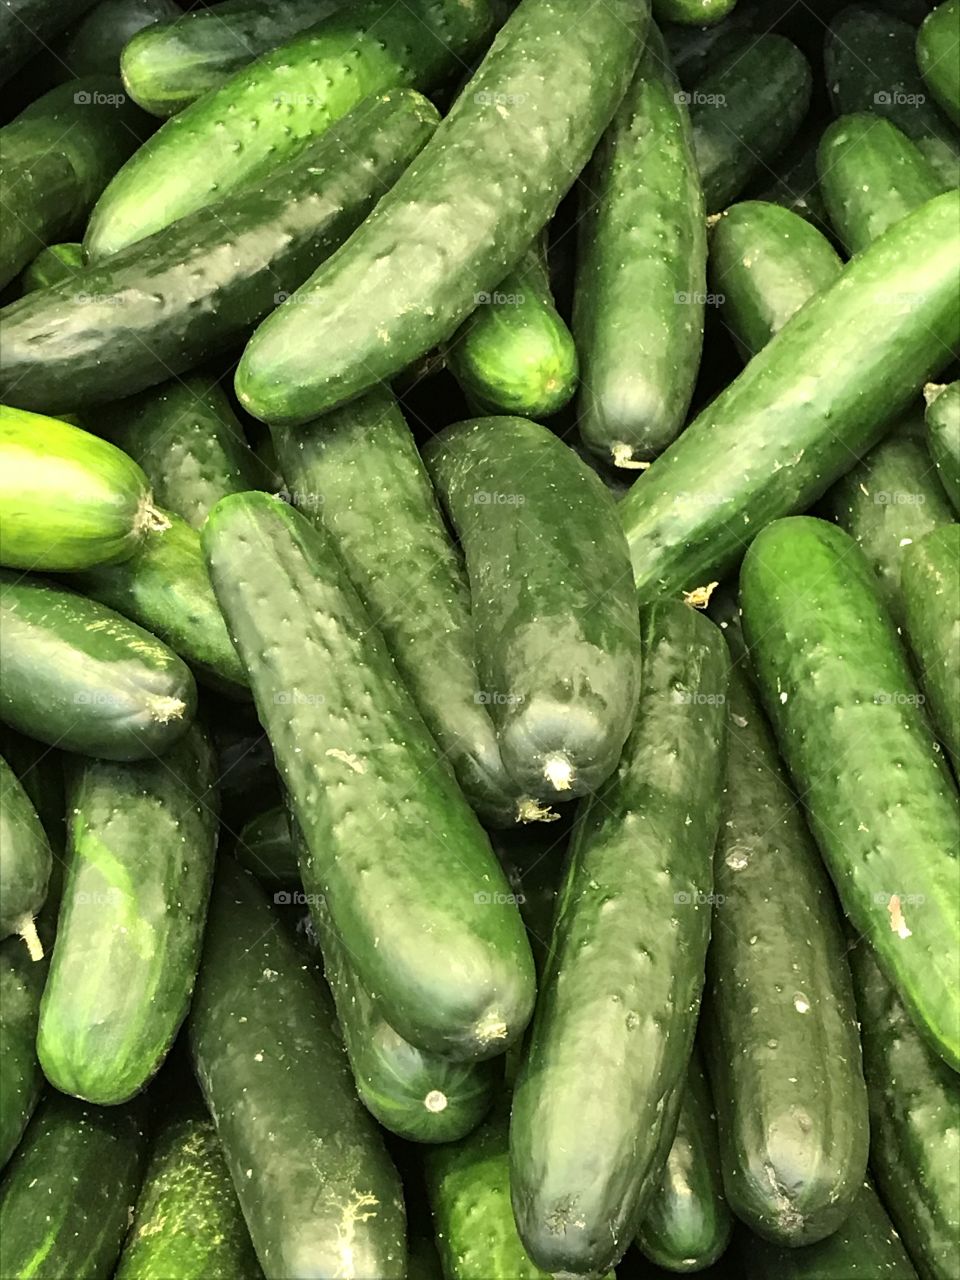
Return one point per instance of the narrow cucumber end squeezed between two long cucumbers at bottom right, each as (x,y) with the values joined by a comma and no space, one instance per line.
(688,1224)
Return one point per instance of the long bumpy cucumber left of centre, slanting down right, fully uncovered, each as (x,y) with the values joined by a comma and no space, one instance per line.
(369,788)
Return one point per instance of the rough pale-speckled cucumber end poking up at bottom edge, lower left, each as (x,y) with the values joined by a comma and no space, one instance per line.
(188,1223)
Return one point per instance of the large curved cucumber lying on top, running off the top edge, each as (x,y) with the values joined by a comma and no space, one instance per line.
(493,175)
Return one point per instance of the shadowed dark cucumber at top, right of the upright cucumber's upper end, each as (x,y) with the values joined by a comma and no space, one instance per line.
(744,111)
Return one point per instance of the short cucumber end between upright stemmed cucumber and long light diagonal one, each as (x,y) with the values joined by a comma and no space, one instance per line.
(766,263)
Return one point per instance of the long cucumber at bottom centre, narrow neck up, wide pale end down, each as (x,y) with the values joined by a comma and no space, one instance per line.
(619,1003)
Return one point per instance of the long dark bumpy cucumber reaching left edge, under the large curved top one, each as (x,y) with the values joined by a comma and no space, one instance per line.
(199,287)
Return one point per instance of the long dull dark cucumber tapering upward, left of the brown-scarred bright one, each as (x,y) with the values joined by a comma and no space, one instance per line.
(780,1025)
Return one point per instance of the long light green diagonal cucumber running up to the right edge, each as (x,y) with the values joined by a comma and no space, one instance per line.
(819,395)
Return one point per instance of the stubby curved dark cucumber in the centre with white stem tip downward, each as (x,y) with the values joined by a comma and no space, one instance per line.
(559,652)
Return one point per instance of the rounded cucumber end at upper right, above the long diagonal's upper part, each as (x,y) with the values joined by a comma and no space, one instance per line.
(871,177)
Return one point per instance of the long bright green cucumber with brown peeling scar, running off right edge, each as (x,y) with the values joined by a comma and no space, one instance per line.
(836,685)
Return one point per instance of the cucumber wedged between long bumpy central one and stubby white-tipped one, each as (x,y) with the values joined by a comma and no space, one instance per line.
(358,473)
